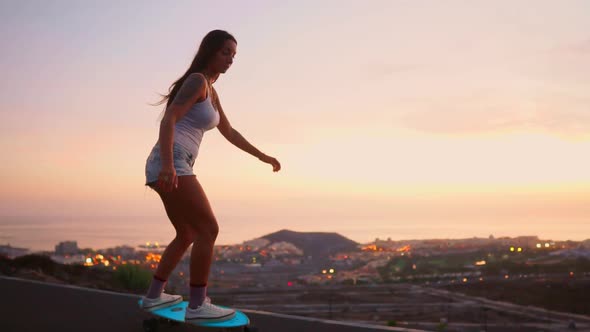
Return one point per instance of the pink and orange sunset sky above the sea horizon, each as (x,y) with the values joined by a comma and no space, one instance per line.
(383,114)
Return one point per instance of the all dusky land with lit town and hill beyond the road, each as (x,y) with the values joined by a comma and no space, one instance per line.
(496,283)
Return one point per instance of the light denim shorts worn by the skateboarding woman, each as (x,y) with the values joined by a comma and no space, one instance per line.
(183,163)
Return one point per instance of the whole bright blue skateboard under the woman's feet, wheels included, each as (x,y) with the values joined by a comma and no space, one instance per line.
(175,314)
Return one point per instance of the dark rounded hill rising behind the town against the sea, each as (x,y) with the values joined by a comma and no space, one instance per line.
(316,244)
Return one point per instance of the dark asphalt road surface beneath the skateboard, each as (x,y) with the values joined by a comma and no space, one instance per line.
(38,306)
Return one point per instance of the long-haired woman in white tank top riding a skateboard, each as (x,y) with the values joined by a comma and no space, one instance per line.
(192,108)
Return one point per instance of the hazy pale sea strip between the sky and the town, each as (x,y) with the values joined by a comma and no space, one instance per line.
(43,233)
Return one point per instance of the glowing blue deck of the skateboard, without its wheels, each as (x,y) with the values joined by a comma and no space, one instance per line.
(176,313)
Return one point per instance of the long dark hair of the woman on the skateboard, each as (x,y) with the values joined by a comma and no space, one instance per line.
(210,45)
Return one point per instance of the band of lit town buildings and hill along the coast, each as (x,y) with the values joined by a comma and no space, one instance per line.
(289,258)
